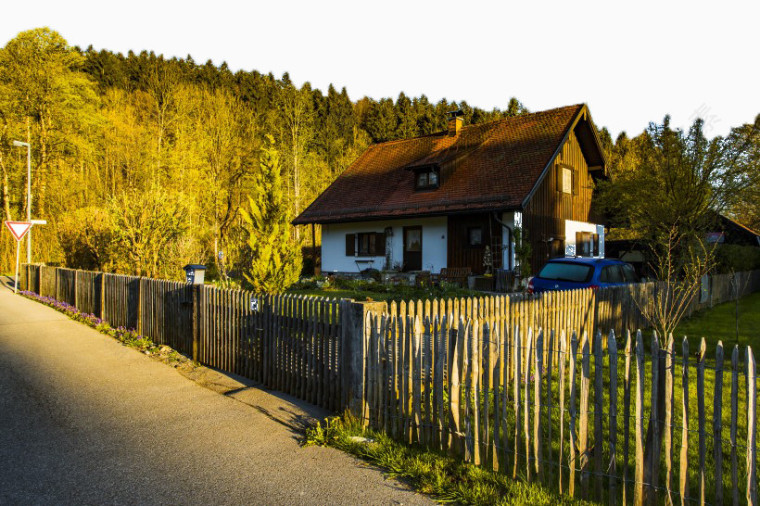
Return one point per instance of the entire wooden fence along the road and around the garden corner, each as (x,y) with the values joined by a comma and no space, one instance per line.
(459,375)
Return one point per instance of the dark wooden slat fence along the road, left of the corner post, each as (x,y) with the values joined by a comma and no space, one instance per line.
(286,342)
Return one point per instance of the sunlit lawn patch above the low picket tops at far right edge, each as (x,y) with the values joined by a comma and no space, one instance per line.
(719,323)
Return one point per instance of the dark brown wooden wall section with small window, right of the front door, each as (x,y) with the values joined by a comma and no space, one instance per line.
(460,253)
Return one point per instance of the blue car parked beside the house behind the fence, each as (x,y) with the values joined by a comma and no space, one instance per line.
(572,273)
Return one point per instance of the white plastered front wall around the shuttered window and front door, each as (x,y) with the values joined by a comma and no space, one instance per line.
(434,244)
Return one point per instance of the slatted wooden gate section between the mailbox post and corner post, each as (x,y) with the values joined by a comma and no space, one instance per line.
(288,343)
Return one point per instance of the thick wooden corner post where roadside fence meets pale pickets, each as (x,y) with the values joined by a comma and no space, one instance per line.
(353,339)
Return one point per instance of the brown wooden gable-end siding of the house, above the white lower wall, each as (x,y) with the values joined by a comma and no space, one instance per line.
(544,216)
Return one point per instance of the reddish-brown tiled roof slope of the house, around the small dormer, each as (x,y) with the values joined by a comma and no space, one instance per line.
(489,166)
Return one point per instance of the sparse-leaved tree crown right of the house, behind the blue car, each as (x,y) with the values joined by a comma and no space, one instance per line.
(667,184)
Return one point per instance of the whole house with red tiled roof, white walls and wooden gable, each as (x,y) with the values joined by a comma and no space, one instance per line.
(442,200)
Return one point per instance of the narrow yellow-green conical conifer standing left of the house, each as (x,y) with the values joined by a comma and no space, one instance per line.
(275,257)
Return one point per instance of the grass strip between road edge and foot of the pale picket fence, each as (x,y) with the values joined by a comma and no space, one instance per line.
(445,478)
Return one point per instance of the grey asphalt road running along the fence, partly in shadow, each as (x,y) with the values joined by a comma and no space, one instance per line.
(85,420)
